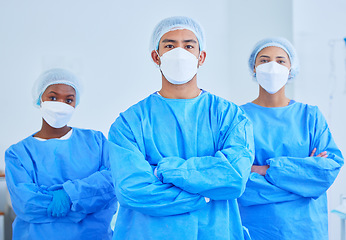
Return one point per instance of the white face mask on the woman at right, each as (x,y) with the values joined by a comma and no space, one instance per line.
(272,76)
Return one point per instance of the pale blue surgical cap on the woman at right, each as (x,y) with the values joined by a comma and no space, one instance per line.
(276,42)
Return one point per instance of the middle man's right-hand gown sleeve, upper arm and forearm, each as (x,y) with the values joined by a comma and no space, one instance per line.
(219,177)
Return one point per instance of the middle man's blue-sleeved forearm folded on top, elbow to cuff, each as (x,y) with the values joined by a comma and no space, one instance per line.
(220,177)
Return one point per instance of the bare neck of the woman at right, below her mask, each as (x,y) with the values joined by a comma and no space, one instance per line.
(277,99)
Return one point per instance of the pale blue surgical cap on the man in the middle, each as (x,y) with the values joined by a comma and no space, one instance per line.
(171,23)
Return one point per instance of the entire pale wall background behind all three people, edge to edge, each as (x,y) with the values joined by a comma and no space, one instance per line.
(106,44)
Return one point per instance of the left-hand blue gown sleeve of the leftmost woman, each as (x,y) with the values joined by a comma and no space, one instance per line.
(29,201)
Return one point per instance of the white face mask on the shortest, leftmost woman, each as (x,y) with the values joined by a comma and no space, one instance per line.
(56,114)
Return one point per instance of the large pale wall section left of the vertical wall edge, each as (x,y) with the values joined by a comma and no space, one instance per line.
(106,44)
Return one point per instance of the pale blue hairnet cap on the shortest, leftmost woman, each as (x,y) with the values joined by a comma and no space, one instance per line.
(51,77)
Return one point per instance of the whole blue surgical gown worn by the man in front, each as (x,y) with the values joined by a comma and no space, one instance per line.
(201,147)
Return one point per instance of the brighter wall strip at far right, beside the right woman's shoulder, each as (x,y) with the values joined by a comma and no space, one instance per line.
(322,81)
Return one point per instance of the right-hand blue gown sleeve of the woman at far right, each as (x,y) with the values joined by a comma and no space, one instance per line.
(310,176)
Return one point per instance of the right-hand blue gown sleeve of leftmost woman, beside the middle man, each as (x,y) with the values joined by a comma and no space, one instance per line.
(95,192)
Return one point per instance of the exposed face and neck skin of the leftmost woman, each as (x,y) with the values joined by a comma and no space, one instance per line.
(61,93)
